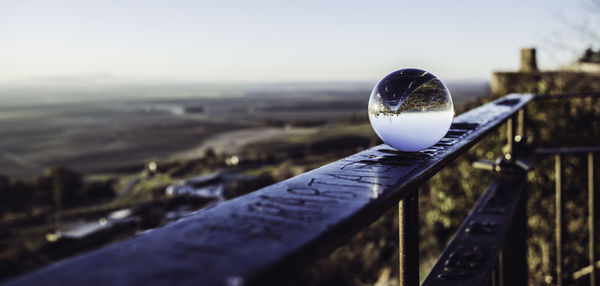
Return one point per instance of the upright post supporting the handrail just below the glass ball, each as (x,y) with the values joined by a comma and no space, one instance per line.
(408,233)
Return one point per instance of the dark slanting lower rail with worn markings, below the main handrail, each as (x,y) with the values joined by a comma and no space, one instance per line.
(471,256)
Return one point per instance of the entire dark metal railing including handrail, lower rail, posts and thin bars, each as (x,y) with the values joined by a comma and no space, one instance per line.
(268,236)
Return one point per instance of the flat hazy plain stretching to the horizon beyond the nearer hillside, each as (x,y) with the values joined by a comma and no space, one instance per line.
(85,133)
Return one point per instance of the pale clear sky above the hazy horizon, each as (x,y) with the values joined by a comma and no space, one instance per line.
(278,41)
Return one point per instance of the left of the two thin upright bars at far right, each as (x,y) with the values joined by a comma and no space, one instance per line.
(559,218)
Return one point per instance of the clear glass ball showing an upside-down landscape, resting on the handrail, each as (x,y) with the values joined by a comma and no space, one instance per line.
(410,109)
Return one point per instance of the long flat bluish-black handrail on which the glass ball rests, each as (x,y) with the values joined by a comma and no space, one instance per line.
(261,237)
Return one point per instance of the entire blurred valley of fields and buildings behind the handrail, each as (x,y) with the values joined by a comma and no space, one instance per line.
(103,148)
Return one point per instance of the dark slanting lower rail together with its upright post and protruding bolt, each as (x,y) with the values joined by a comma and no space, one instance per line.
(490,246)
